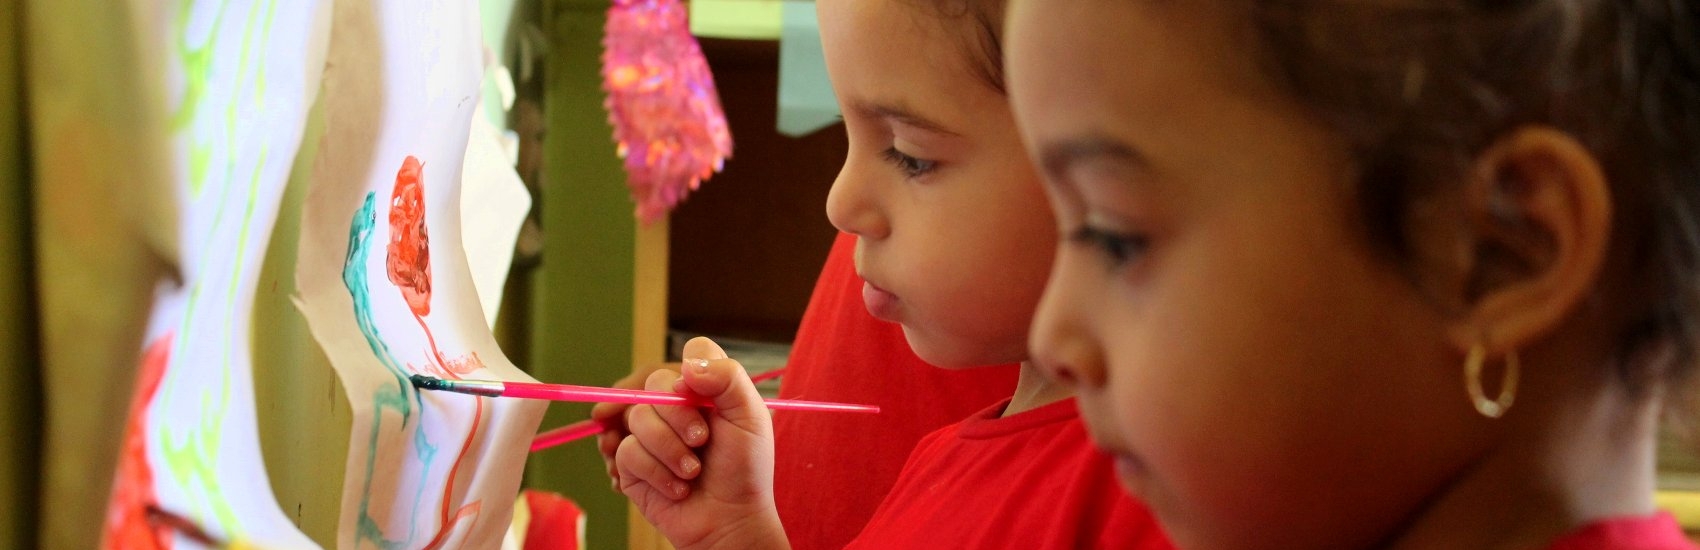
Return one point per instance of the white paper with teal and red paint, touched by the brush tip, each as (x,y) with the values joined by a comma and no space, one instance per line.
(424,469)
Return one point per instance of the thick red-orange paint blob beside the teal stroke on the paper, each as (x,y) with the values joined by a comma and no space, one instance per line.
(409,240)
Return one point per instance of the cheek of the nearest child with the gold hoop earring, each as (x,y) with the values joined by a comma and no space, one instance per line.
(1245,373)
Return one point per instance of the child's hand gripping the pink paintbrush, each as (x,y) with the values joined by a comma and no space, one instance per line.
(703,495)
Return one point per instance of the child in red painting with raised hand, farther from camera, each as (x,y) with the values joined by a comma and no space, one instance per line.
(955,247)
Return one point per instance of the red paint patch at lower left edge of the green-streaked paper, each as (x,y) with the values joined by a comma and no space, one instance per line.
(128,524)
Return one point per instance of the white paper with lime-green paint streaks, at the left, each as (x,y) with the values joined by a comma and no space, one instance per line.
(239,77)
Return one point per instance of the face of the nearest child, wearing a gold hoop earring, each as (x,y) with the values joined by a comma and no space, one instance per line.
(1262,376)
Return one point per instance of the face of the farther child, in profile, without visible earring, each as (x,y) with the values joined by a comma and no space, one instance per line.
(955,233)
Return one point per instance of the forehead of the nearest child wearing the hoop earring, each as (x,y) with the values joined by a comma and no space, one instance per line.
(1155,67)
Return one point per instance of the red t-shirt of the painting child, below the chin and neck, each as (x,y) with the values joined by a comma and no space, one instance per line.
(1028,481)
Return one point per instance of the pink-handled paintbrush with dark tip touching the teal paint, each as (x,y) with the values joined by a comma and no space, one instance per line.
(609,395)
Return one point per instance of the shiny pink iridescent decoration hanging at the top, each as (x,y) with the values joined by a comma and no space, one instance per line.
(662,104)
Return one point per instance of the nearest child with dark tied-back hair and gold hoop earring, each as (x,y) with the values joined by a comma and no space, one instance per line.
(1373,274)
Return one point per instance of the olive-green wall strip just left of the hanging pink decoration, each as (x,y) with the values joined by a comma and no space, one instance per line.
(582,317)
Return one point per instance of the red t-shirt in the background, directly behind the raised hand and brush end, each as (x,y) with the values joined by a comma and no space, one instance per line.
(834,469)
